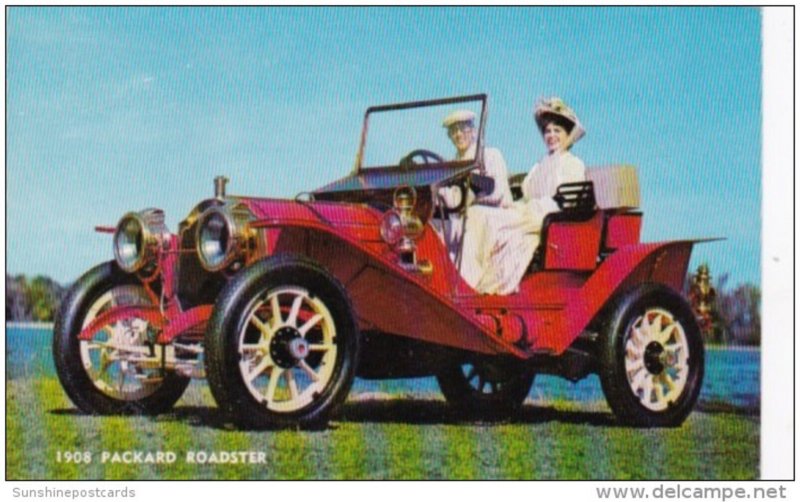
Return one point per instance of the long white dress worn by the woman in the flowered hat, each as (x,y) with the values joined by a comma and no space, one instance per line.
(506,238)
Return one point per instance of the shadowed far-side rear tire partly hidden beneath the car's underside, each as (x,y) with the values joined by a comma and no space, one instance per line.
(512,378)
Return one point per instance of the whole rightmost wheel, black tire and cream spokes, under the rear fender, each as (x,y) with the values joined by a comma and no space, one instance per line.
(652,357)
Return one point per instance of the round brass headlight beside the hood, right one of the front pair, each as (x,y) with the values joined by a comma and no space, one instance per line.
(222,238)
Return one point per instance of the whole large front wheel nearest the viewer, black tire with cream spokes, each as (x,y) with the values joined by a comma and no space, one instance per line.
(282,345)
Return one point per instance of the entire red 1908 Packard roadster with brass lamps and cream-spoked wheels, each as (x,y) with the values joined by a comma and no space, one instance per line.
(280,304)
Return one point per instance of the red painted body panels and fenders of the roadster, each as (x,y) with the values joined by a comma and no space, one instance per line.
(548,313)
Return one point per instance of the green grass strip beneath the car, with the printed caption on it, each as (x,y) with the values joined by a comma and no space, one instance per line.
(379,439)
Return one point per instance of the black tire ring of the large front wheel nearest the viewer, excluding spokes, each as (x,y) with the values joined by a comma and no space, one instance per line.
(222,357)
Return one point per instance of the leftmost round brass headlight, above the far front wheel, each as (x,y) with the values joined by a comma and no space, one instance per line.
(136,240)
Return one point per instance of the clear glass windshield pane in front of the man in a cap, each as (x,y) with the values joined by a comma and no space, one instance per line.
(416,133)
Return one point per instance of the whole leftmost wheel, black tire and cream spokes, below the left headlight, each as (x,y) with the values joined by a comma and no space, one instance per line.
(115,372)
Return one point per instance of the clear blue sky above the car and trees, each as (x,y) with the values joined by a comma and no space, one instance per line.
(111,110)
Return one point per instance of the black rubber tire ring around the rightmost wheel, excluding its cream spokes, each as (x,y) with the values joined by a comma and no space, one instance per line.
(623,313)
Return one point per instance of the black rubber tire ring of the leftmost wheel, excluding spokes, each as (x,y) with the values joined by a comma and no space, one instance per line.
(66,351)
